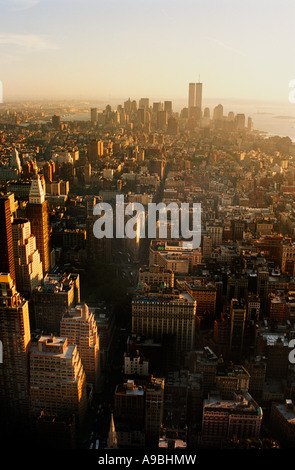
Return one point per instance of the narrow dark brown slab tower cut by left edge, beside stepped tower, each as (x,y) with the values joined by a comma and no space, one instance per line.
(6,252)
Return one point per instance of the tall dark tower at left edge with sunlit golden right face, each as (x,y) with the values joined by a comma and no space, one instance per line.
(16,338)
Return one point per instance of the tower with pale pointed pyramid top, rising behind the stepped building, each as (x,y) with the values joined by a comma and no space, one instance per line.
(38,215)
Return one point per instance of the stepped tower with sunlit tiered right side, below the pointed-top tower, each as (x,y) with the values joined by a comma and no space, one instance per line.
(28,264)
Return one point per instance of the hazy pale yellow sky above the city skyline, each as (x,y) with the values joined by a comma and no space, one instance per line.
(108,49)
